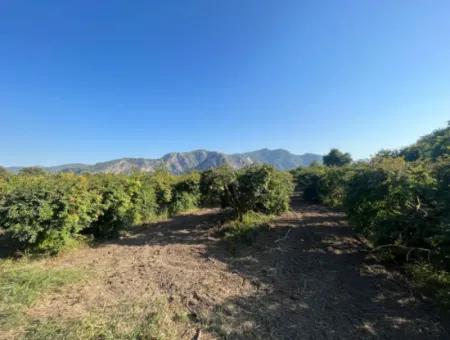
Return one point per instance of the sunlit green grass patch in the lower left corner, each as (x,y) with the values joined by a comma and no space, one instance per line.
(21,284)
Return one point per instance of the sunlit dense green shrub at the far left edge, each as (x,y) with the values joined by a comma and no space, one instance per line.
(45,212)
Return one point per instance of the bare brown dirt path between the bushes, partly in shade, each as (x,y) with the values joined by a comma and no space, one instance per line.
(304,278)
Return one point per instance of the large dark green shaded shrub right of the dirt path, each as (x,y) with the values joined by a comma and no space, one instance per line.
(392,202)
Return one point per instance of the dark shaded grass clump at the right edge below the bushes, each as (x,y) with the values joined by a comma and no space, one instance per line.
(434,282)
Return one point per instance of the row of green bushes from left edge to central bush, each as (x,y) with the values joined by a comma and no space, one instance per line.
(44,212)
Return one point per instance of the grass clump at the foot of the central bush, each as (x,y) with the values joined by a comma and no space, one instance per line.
(244,230)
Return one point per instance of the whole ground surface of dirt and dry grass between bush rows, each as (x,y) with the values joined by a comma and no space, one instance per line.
(305,276)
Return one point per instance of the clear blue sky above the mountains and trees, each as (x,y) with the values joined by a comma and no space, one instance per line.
(86,81)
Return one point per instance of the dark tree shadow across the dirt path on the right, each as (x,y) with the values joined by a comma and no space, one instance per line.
(311,279)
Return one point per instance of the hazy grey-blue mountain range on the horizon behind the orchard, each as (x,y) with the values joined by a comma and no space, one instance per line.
(180,162)
